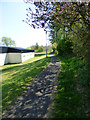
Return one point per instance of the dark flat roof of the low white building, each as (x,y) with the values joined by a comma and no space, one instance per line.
(5,49)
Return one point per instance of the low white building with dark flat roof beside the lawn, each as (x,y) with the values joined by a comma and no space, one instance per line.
(14,55)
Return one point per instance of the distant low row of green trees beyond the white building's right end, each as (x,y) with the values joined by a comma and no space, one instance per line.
(39,48)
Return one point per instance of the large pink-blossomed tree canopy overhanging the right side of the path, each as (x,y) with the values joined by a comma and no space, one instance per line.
(65,14)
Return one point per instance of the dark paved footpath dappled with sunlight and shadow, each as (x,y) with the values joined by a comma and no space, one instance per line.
(35,103)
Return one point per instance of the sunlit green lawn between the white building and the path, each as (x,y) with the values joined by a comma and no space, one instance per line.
(17,77)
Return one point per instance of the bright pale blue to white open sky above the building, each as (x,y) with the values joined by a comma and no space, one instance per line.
(12,14)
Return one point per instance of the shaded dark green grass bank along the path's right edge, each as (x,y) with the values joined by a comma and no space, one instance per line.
(71,98)
